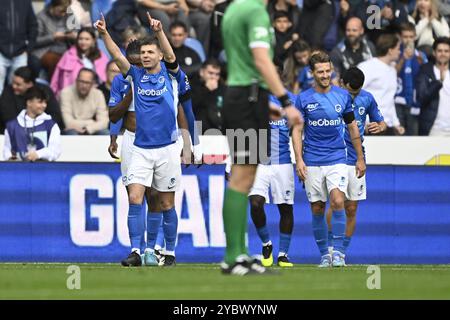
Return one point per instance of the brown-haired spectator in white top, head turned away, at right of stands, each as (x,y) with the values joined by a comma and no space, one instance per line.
(381,79)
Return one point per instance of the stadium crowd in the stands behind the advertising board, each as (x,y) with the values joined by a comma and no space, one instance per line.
(58,51)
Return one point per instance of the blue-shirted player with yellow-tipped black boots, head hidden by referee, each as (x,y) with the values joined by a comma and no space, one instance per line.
(278,175)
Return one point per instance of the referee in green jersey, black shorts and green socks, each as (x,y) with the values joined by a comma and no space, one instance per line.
(247,37)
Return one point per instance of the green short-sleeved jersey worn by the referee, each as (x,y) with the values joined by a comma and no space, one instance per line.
(245,25)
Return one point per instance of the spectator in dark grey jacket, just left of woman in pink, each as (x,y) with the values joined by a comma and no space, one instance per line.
(54,37)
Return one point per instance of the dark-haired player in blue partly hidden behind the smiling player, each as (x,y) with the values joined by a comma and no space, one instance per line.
(364,105)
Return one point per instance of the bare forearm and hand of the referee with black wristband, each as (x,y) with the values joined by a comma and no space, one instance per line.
(267,69)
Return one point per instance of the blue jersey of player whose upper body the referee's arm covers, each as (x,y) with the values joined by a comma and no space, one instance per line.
(280,152)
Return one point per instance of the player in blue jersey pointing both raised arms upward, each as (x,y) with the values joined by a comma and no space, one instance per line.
(155,161)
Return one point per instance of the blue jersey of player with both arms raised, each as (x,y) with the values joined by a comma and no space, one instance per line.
(155,102)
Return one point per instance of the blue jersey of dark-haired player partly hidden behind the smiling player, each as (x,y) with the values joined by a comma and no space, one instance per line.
(364,105)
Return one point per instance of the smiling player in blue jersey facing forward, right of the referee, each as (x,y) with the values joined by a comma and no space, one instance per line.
(321,158)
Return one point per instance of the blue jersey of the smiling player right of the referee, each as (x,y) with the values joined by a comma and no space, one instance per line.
(324,143)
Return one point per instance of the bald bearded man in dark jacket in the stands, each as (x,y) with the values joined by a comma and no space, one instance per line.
(353,49)
